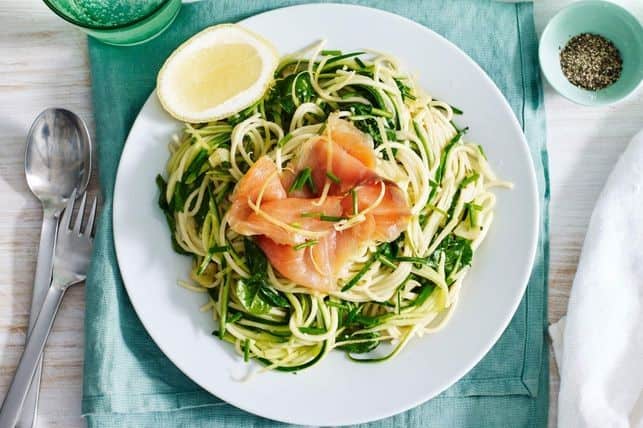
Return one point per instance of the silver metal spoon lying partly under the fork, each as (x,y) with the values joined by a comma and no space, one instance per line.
(57,160)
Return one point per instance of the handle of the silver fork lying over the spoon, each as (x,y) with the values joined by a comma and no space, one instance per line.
(15,398)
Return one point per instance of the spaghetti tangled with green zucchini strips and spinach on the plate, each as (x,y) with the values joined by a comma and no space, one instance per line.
(390,292)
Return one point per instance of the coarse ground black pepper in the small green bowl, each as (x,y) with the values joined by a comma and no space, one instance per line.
(591,61)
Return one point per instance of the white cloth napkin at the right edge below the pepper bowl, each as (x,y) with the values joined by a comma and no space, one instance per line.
(599,346)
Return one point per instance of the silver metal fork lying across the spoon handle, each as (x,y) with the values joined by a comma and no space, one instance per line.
(71,261)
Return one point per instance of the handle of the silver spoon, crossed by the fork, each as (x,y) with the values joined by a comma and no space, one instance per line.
(41,284)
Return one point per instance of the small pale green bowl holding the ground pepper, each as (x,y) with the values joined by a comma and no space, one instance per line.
(598,17)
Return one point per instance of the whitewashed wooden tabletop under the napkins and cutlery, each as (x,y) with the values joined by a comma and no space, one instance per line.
(43,62)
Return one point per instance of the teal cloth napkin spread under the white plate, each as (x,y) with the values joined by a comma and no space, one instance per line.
(128,382)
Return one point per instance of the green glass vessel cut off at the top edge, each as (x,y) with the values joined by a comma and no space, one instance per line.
(119,22)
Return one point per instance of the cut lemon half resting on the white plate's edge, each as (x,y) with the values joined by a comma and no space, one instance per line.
(216,73)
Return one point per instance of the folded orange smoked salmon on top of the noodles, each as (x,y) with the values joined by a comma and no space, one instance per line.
(297,228)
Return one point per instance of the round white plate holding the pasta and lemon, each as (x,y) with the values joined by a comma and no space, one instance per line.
(337,391)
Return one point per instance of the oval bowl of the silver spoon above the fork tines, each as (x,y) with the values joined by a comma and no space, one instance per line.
(58,157)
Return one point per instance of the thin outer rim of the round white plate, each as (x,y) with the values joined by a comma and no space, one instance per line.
(534,237)
